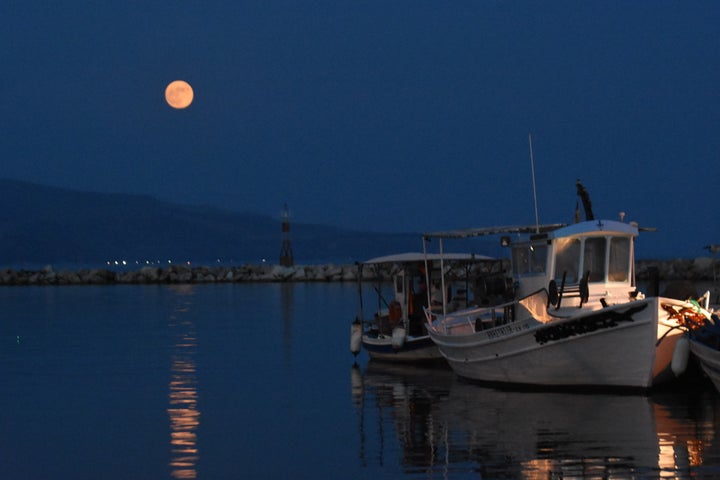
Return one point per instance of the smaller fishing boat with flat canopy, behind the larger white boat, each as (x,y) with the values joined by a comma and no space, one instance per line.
(396,331)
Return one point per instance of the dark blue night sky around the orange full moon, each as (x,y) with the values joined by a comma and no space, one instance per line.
(376,115)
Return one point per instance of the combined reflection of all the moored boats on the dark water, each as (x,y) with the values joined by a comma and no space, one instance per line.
(441,425)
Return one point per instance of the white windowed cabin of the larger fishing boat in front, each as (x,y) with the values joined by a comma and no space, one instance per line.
(586,264)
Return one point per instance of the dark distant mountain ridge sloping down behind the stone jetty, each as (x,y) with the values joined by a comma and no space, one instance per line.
(42,224)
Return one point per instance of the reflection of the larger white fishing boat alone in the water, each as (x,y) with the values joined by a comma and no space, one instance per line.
(561,435)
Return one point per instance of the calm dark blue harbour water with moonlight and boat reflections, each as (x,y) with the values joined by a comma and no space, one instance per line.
(257,381)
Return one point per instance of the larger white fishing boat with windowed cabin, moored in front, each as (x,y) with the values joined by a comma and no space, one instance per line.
(578,318)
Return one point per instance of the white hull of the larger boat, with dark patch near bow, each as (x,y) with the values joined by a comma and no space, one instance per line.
(613,347)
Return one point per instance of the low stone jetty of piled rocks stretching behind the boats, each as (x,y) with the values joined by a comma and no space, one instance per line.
(692,270)
